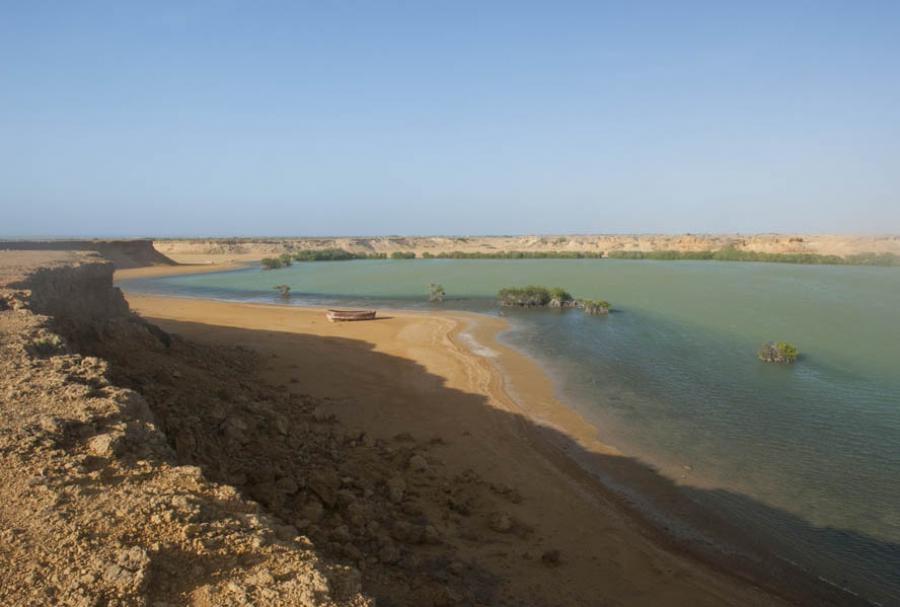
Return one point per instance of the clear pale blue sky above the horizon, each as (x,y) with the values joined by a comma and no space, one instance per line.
(439,117)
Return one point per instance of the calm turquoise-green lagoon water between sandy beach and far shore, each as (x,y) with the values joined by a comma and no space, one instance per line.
(807,455)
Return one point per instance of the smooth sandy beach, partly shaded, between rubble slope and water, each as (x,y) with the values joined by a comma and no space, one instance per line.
(438,376)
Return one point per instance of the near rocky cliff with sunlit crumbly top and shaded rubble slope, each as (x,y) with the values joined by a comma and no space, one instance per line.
(137,468)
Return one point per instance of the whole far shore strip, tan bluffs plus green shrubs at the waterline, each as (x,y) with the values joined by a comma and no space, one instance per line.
(786,248)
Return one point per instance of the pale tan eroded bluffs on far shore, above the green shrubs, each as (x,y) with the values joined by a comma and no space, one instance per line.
(236,249)
